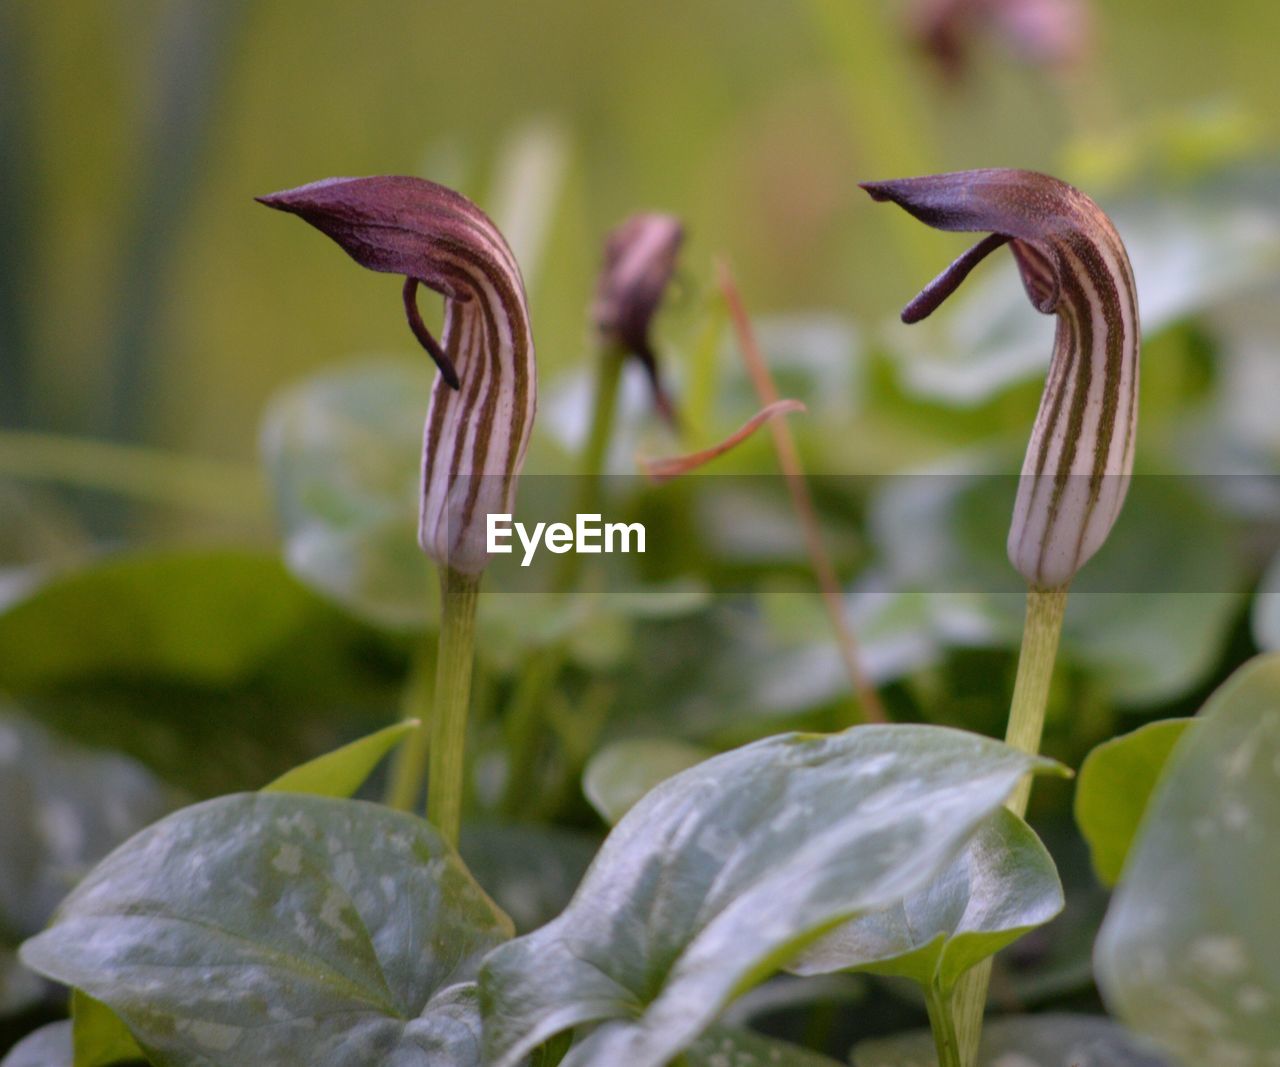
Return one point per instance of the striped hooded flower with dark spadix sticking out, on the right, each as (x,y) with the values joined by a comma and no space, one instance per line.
(1073,265)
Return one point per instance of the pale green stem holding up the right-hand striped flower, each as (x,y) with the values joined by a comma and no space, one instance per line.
(1041,634)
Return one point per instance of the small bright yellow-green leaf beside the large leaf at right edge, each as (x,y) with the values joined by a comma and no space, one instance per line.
(1116,786)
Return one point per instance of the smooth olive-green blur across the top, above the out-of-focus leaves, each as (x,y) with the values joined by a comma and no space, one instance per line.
(148,299)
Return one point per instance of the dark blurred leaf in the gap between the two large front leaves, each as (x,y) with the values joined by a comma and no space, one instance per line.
(531,871)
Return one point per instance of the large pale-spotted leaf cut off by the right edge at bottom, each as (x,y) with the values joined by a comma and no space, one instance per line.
(1190,952)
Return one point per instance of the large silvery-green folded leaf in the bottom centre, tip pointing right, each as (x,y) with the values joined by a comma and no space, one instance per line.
(723,874)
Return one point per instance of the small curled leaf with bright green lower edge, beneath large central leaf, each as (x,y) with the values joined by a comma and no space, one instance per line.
(1002,886)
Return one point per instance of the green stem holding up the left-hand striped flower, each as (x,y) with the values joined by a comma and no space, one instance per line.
(452,697)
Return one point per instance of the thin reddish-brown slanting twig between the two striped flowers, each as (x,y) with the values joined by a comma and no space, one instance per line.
(789,460)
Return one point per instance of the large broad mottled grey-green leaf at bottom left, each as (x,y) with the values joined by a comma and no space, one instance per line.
(278,928)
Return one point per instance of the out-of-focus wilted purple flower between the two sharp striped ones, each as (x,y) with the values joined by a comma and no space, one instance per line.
(639,262)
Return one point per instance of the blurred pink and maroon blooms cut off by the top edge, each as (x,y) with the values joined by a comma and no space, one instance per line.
(1053,34)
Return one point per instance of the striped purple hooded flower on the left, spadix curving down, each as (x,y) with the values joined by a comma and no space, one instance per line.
(483,402)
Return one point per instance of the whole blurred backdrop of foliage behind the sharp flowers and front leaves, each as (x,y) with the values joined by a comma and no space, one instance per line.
(162,336)
